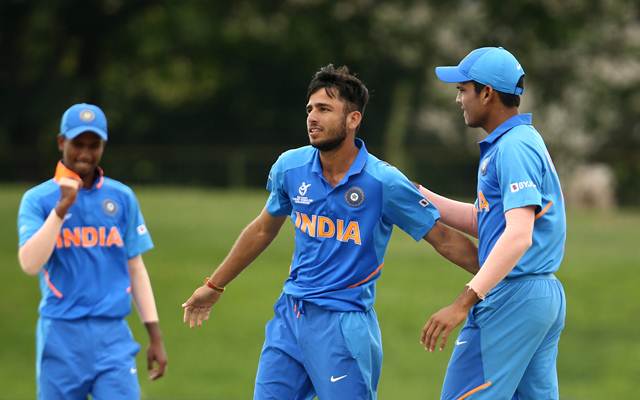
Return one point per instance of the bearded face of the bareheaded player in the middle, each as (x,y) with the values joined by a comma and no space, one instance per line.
(326,120)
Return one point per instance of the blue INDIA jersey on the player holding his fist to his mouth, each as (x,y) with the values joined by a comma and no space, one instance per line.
(87,275)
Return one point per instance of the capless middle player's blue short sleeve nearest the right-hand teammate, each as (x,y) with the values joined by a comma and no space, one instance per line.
(406,207)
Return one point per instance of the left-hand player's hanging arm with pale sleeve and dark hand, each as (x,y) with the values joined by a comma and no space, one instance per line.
(146,305)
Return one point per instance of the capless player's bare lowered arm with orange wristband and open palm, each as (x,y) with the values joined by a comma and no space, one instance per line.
(253,240)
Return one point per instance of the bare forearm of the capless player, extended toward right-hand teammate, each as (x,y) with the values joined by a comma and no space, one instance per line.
(454,246)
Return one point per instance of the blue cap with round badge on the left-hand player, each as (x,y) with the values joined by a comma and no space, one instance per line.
(80,118)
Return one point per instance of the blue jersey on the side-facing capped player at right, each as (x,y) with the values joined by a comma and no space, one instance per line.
(516,171)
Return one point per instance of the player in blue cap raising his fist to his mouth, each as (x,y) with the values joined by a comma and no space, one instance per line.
(84,235)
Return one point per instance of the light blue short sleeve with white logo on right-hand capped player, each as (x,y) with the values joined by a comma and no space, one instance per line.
(520,170)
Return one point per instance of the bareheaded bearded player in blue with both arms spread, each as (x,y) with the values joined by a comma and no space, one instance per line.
(324,339)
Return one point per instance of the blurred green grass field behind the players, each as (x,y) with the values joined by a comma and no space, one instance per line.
(193,229)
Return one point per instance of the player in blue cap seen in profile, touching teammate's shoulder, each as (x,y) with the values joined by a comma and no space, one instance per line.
(514,306)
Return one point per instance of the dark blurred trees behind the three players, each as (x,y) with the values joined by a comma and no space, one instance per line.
(210,92)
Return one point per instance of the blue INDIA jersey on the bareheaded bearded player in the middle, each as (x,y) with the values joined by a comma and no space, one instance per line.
(342,232)
